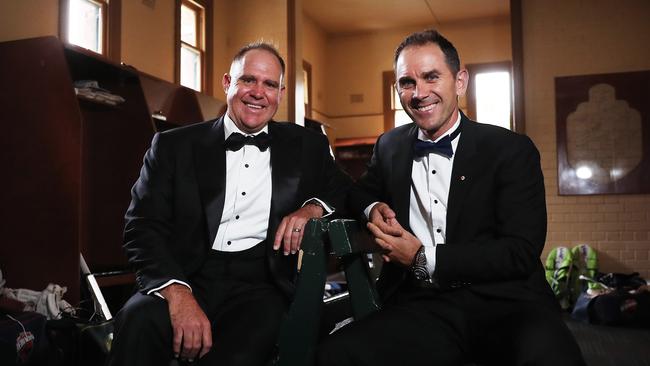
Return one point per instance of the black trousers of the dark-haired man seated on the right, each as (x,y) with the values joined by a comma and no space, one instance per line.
(421,327)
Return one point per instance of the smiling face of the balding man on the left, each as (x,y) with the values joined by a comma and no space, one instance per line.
(253,90)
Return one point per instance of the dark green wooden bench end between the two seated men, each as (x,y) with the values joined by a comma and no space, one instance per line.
(302,326)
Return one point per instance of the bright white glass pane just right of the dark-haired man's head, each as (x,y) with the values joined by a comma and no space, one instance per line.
(493,98)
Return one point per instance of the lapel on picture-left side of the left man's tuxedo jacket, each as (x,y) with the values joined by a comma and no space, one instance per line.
(210,163)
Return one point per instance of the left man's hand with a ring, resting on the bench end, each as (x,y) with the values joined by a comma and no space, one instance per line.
(291,228)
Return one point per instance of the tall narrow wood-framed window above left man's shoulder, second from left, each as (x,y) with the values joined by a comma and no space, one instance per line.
(192,39)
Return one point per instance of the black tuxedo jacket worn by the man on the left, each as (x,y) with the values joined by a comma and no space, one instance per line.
(178,199)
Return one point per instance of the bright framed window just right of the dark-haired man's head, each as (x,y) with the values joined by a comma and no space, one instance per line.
(490,93)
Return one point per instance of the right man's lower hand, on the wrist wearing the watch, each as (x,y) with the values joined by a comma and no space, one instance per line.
(399,244)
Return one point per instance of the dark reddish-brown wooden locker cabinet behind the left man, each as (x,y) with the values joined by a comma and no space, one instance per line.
(69,163)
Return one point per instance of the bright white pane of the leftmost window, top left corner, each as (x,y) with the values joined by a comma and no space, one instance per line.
(85,24)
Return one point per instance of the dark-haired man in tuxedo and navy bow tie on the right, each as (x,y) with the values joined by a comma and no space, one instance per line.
(459,210)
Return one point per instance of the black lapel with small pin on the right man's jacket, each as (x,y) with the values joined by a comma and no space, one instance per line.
(462,173)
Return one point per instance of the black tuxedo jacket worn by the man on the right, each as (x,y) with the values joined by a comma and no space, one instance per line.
(496,214)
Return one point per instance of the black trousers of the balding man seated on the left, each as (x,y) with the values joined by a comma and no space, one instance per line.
(236,293)
